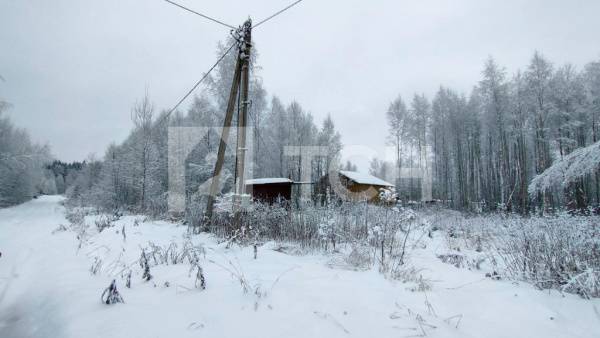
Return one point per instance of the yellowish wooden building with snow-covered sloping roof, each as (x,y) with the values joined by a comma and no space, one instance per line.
(367,185)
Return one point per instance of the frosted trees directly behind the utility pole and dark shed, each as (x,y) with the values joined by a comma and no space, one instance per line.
(134,174)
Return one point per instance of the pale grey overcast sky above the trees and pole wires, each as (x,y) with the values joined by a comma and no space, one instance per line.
(74,68)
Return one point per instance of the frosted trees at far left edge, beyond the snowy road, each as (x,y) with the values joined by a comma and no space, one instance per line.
(23,173)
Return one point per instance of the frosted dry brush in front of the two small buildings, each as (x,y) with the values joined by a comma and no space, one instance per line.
(374,232)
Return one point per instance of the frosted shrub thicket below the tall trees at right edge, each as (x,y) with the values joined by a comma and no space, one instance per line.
(558,252)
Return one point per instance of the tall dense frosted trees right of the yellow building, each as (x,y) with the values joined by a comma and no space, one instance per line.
(489,145)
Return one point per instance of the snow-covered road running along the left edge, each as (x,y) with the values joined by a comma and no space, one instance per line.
(37,270)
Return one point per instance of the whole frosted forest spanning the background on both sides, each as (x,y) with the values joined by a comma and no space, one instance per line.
(486,146)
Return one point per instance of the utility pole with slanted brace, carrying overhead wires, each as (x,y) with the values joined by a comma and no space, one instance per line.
(242,71)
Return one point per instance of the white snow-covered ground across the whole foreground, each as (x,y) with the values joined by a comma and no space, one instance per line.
(48,290)
